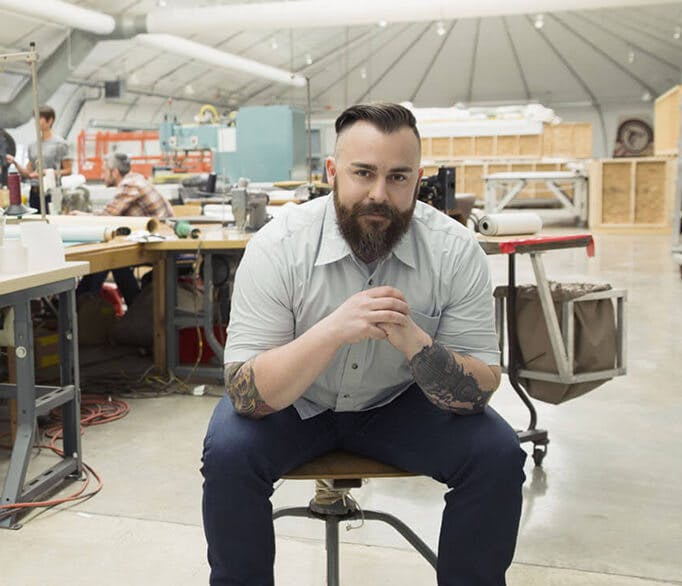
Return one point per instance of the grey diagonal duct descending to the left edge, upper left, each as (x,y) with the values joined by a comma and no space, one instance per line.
(52,72)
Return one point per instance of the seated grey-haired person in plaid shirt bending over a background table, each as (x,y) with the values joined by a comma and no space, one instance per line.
(135,196)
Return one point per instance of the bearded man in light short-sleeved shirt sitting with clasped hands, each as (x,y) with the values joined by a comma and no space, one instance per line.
(364,321)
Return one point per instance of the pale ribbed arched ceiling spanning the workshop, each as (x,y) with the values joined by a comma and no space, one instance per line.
(615,55)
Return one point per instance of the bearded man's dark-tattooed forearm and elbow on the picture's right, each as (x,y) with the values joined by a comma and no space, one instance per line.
(454,382)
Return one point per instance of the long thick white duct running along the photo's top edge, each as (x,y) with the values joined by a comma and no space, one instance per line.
(317,14)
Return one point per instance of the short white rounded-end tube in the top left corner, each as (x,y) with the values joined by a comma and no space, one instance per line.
(64,13)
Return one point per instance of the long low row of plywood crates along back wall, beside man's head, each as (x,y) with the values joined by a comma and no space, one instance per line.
(571,140)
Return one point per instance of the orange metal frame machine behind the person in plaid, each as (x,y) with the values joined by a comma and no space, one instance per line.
(93,149)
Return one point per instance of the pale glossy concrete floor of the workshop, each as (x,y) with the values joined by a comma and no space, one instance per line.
(605,509)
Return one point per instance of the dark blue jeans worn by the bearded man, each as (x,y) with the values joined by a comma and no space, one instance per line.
(477,456)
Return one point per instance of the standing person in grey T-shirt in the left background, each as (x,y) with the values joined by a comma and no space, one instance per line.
(56,155)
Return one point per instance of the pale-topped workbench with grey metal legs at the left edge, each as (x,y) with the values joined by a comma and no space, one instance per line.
(17,291)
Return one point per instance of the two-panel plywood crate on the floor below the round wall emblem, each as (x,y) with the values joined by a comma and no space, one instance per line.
(628,194)
